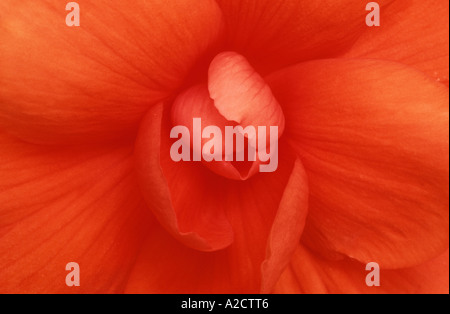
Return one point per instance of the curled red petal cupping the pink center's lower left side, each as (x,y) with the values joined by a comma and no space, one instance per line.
(176,192)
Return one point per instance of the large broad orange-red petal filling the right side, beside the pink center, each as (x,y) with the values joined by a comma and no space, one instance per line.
(374,139)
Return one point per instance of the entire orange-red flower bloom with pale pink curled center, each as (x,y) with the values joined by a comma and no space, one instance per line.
(86,174)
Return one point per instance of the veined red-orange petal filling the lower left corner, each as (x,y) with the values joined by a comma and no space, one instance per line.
(61,205)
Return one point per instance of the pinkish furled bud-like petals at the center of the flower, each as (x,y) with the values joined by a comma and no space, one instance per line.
(232,124)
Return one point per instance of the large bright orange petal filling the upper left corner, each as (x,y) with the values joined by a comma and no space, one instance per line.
(61,84)
